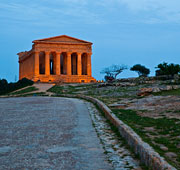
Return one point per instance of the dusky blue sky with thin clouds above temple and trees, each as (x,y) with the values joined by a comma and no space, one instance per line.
(126,32)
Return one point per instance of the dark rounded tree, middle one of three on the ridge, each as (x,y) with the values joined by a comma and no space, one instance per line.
(141,70)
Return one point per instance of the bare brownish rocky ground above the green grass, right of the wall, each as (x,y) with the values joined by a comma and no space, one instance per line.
(152,106)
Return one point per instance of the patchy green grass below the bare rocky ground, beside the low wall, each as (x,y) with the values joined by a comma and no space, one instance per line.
(165,132)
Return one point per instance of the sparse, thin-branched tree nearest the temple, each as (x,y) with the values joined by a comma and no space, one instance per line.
(113,71)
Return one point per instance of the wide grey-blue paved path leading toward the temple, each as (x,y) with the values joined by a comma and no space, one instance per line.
(48,133)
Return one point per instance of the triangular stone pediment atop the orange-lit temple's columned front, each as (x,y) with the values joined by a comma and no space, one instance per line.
(62,39)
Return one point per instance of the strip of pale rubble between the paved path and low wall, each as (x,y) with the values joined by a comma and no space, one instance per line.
(117,154)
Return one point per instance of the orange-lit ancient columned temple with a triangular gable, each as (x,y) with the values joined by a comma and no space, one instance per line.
(57,59)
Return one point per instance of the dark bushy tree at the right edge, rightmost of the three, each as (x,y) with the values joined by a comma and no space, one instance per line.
(167,69)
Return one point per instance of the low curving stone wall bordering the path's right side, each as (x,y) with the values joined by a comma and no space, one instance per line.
(147,154)
